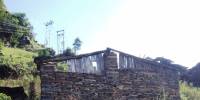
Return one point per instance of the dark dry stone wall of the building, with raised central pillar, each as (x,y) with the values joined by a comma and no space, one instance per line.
(147,81)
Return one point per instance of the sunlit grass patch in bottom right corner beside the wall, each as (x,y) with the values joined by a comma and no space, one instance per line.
(188,92)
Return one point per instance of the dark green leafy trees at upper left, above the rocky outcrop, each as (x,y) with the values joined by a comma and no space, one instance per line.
(13,26)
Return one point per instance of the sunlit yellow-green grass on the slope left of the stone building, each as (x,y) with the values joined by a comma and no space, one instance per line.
(23,63)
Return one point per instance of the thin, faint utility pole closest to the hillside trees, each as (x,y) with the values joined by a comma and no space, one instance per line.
(48,33)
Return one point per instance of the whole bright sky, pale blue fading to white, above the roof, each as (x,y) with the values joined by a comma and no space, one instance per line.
(154,28)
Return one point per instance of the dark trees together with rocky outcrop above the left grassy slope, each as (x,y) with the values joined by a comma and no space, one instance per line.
(16,30)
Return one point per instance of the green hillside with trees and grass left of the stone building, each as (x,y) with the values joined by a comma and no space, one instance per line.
(18,49)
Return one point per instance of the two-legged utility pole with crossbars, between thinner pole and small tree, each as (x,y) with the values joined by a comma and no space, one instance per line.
(60,41)
